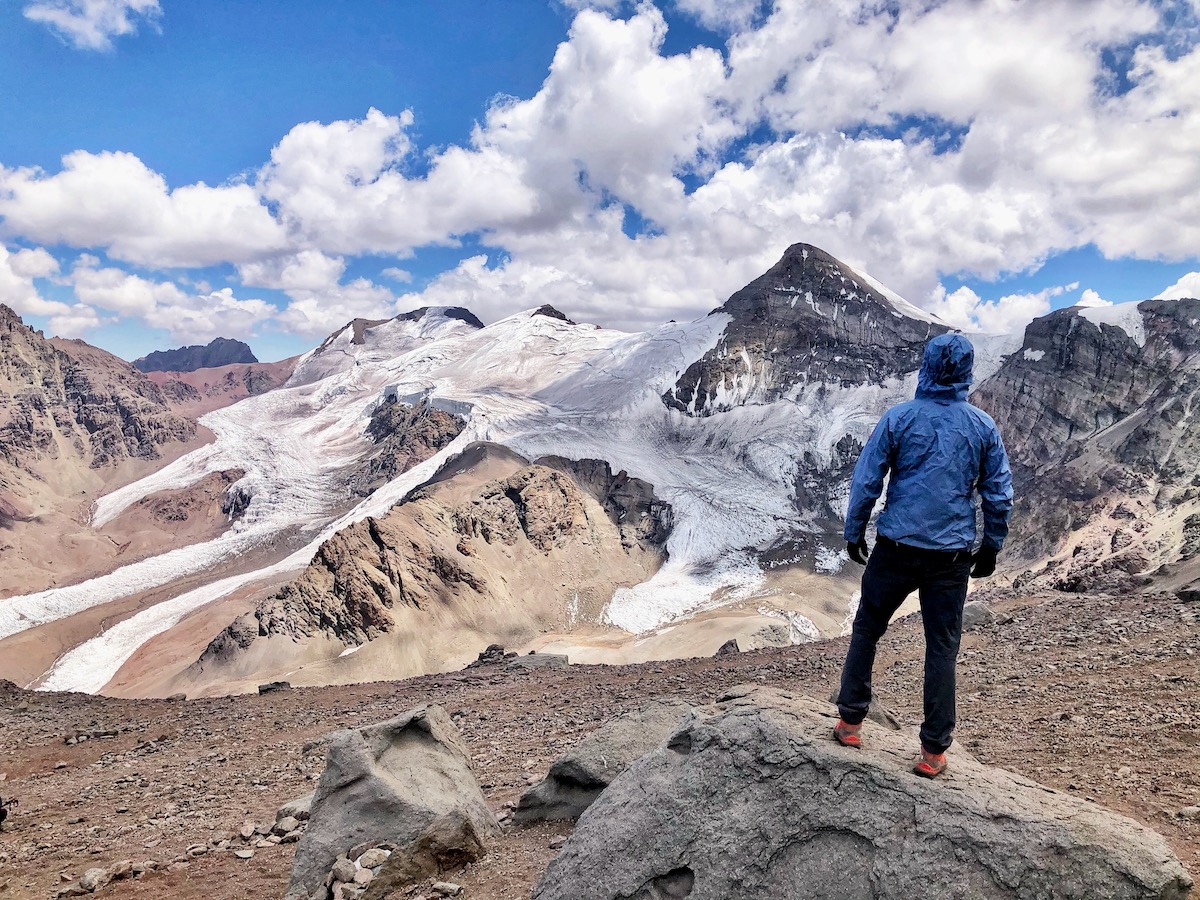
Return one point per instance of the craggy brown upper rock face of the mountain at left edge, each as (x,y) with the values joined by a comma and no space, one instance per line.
(64,399)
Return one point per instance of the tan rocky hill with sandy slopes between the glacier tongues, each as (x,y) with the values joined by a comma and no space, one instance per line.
(466,565)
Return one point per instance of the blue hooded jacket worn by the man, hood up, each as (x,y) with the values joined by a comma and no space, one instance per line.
(939,451)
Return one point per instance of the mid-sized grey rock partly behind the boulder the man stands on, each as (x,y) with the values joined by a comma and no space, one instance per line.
(579,776)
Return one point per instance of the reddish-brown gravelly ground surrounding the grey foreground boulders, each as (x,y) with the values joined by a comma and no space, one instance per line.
(1095,697)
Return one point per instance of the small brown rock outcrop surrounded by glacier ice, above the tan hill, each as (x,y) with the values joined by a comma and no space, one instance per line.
(405,436)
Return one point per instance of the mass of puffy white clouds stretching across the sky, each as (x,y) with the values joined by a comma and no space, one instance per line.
(915,141)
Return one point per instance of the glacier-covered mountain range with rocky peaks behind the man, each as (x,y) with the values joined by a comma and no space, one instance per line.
(416,489)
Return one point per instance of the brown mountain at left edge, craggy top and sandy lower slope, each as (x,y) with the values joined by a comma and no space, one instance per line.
(75,422)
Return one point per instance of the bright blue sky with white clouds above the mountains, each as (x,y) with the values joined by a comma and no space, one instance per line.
(171,172)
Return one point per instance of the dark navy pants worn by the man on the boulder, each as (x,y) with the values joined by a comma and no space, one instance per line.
(893,573)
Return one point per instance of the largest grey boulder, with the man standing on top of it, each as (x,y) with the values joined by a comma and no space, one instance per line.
(753,800)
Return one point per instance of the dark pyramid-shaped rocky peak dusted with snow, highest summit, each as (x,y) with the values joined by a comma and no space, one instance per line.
(809,320)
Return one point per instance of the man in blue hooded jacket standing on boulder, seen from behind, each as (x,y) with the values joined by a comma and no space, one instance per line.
(939,451)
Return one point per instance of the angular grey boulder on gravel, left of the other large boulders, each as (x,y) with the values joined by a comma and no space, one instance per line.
(406,783)
